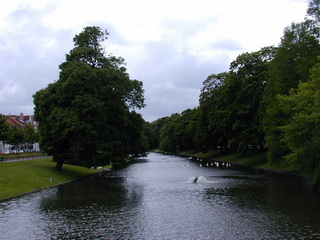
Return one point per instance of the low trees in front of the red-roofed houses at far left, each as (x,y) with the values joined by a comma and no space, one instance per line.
(14,135)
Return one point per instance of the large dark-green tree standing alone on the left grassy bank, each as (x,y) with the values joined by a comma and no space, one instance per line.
(87,116)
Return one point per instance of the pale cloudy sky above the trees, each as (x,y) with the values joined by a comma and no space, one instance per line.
(172,46)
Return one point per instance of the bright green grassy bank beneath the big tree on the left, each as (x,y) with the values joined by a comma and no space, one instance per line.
(24,176)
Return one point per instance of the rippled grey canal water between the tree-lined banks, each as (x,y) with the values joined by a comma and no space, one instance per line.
(156,198)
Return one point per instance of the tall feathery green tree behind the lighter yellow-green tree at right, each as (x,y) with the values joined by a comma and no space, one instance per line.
(295,56)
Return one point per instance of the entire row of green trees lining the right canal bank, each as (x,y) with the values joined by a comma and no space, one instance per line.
(268,99)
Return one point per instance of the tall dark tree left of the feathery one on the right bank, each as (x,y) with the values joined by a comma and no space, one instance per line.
(249,72)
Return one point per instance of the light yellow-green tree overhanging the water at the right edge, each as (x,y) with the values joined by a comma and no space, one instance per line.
(301,133)
